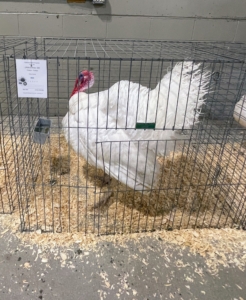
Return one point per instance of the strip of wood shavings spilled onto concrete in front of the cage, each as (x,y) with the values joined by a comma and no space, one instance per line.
(220,247)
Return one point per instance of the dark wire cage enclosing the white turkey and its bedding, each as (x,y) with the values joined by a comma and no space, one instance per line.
(130,156)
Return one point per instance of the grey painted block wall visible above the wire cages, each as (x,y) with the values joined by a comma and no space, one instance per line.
(209,20)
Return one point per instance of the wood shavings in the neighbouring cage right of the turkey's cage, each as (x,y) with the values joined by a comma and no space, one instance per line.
(226,165)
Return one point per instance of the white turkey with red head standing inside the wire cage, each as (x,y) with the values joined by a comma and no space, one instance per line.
(101,127)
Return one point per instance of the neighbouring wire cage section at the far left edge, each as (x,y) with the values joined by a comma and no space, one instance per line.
(9,190)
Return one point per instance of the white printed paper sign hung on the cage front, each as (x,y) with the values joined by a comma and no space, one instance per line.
(31,76)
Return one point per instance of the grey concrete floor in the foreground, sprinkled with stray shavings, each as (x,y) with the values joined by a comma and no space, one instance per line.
(150,269)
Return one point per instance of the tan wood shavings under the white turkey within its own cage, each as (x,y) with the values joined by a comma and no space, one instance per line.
(64,191)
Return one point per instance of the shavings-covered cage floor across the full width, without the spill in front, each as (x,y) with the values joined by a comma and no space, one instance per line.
(58,191)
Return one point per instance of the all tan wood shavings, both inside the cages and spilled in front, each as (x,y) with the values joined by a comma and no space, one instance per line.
(62,184)
